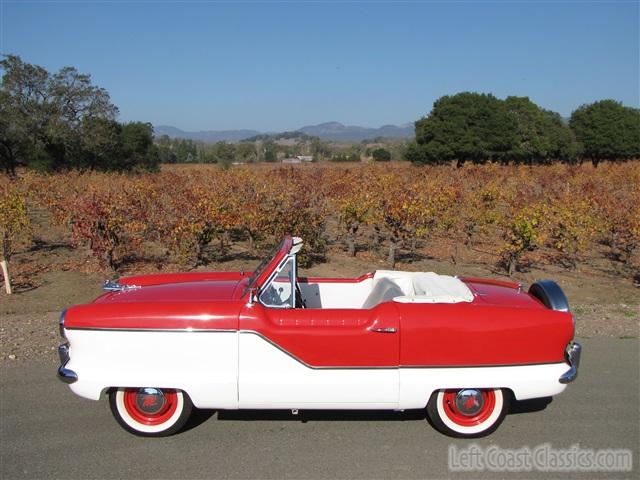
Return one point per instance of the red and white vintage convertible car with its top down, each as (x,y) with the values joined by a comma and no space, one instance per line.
(463,348)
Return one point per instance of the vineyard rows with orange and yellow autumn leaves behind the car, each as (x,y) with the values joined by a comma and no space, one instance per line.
(520,214)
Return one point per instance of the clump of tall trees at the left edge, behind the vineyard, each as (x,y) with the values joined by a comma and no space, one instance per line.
(61,120)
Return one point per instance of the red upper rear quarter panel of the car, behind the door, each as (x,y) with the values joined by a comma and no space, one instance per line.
(475,334)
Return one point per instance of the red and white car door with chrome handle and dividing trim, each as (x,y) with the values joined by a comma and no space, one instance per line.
(317,358)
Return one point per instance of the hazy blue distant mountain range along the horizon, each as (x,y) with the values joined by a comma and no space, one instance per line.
(333,131)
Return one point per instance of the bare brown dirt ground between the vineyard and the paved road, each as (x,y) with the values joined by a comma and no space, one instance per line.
(51,276)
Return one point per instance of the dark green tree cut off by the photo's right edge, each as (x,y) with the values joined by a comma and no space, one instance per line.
(607,130)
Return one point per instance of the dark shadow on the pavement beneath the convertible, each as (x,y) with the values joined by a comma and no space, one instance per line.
(200,416)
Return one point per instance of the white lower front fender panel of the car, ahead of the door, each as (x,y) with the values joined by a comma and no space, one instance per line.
(203,364)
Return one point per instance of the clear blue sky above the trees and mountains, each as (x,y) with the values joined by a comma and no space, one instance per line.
(206,65)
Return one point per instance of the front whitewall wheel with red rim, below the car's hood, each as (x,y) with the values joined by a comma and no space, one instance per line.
(150,411)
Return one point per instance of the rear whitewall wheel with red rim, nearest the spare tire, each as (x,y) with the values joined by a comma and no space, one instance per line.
(468,412)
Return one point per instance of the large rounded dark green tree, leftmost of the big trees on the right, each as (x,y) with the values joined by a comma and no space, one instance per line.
(464,127)
